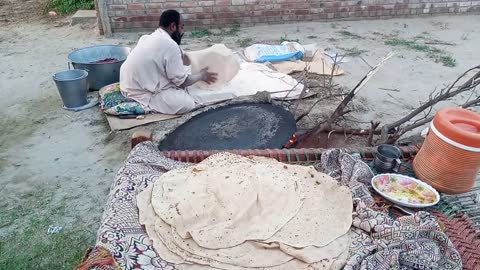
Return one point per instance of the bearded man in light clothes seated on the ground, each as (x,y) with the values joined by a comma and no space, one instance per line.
(154,73)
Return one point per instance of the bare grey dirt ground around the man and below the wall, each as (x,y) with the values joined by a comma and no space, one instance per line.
(51,158)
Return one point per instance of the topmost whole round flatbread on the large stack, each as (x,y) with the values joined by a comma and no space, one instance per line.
(226,204)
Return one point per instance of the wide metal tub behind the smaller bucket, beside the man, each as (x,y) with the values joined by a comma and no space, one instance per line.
(100,74)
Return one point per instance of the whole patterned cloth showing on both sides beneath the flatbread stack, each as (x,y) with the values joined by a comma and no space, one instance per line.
(379,241)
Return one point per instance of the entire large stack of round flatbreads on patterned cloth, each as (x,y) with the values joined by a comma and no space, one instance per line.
(234,212)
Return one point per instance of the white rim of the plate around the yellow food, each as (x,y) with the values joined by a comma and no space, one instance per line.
(404,201)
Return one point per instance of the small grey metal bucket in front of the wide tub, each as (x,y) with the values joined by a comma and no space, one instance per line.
(72,86)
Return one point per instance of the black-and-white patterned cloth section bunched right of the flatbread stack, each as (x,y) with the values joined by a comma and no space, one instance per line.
(379,241)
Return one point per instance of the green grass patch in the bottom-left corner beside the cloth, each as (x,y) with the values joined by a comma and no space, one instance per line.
(25,243)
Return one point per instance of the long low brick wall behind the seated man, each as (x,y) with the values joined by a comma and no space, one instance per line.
(135,15)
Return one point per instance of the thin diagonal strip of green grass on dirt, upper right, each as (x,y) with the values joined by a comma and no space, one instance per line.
(433,53)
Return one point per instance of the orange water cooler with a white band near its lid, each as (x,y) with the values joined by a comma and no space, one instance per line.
(449,159)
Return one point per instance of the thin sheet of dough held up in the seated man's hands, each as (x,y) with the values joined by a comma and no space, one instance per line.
(218,59)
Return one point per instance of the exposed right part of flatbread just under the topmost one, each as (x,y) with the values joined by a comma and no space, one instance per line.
(326,213)
